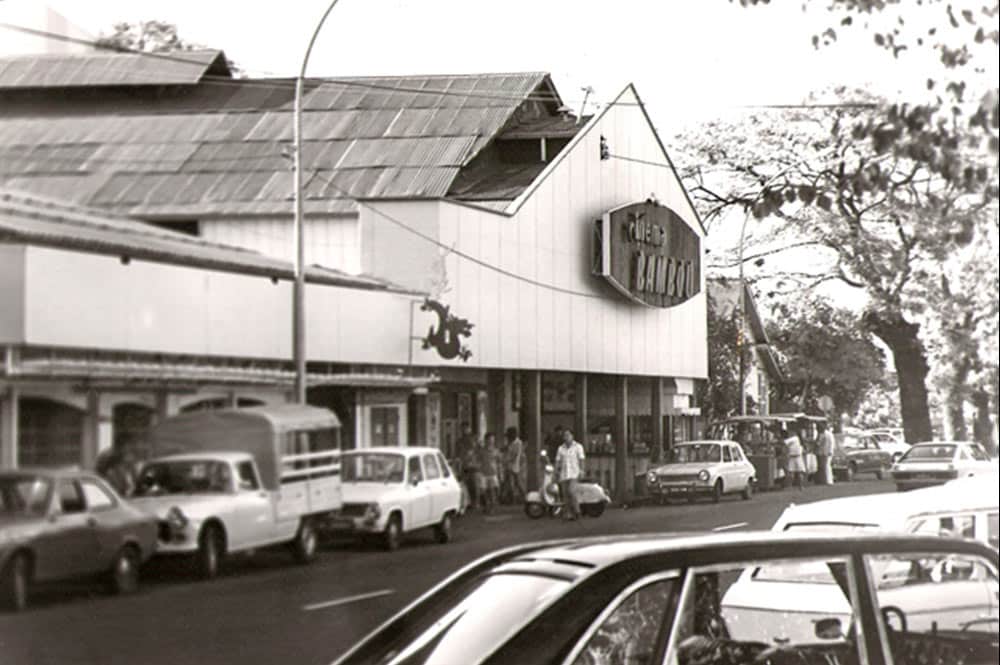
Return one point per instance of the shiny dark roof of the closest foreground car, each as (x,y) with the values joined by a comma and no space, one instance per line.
(706,548)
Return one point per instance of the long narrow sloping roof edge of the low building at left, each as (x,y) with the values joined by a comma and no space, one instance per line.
(26,218)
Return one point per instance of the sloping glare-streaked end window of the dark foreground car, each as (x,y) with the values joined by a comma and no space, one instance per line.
(469,628)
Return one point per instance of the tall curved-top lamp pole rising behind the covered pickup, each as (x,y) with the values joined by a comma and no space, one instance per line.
(299,289)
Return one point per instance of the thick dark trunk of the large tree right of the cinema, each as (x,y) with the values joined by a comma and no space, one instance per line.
(908,355)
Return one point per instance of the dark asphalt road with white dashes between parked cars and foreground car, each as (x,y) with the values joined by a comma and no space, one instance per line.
(266,610)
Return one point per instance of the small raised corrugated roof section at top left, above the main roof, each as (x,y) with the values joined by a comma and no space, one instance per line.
(109,69)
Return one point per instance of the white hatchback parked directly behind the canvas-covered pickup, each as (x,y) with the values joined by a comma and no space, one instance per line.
(391,491)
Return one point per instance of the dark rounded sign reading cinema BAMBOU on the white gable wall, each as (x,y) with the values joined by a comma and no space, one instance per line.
(648,253)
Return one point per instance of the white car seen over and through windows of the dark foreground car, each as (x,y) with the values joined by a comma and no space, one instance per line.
(918,590)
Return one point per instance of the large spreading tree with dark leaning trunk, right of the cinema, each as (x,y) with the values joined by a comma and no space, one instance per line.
(889,222)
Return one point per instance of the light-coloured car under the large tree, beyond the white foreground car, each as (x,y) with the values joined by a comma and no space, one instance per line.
(933,463)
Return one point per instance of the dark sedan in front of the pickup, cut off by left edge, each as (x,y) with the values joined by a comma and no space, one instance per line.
(60,524)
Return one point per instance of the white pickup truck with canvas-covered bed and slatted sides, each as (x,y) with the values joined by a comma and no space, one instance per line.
(236,480)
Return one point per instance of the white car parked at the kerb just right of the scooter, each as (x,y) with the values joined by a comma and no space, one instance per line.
(702,468)
